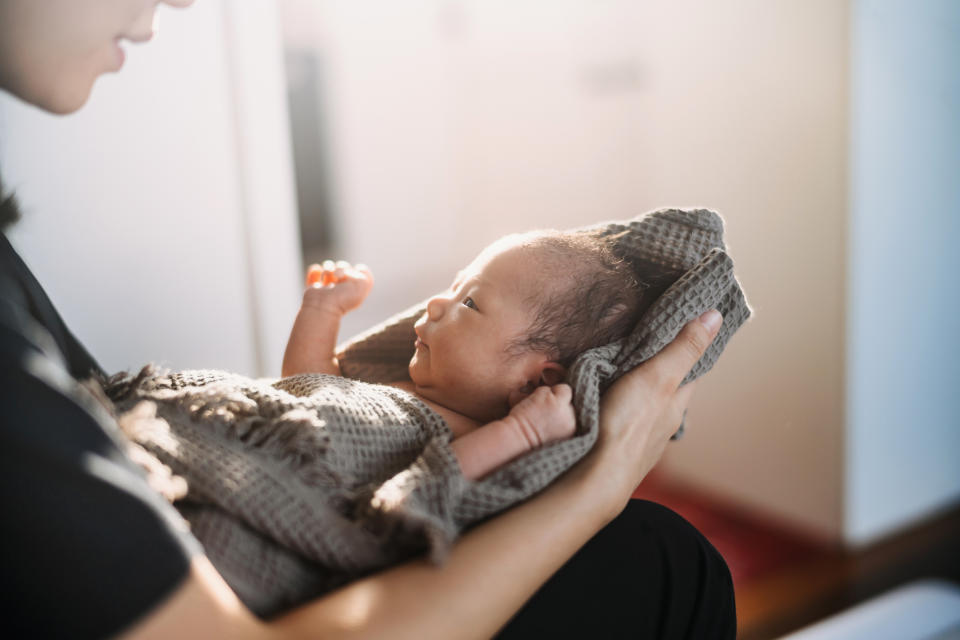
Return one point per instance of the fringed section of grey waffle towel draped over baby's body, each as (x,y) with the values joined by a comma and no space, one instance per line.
(295,486)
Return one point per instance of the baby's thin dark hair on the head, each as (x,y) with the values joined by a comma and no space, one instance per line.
(596,297)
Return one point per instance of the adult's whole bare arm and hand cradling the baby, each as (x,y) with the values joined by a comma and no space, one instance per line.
(496,566)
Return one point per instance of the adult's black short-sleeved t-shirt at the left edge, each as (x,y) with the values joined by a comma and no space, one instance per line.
(86,546)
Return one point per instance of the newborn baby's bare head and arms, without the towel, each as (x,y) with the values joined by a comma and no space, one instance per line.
(492,350)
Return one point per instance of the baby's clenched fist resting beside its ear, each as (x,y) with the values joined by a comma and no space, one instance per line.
(545,415)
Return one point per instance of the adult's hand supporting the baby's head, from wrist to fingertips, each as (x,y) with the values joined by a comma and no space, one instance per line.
(640,412)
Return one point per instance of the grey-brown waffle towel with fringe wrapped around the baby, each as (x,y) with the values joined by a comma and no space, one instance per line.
(299,485)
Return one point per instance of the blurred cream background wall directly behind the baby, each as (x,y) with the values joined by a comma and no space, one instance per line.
(452,123)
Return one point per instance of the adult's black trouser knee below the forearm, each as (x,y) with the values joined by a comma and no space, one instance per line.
(648,574)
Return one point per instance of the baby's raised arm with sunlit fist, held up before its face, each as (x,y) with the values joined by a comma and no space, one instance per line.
(332,290)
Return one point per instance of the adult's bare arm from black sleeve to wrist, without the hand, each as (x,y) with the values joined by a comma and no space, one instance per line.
(489,574)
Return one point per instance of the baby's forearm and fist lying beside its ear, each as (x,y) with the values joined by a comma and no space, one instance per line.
(543,416)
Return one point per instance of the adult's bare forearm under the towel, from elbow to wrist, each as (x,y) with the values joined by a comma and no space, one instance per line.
(489,574)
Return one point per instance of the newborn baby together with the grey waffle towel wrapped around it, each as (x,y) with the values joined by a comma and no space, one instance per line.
(299,485)
